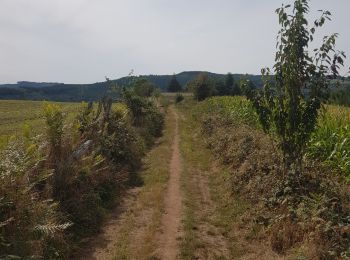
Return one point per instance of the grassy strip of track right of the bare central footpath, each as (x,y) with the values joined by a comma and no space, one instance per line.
(217,218)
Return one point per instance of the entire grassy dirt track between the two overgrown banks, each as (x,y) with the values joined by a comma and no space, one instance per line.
(183,210)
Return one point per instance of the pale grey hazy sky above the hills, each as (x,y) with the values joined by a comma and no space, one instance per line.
(82,41)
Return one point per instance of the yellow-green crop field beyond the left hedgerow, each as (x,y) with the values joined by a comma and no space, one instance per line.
(15,113)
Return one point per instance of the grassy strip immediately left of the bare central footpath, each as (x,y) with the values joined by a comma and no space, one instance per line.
(149,202)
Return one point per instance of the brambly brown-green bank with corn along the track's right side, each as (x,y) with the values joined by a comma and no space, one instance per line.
(315,213)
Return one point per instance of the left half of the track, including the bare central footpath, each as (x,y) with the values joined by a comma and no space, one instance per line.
(147,223)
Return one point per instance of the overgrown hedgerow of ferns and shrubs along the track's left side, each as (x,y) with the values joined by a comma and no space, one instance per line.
(56,188)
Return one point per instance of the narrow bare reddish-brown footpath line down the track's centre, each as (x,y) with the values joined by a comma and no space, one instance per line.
(171,221)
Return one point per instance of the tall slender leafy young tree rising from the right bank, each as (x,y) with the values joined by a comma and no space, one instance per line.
(289,104)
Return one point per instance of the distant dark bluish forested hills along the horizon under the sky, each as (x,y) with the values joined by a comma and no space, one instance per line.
(78,92)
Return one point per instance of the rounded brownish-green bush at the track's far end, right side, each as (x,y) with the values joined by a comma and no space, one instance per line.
(202,86)
